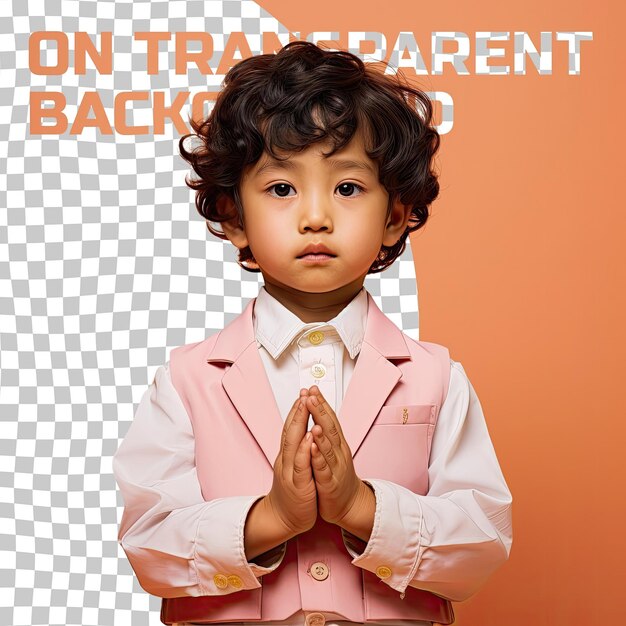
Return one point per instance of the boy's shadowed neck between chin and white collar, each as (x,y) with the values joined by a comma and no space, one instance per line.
(315,307)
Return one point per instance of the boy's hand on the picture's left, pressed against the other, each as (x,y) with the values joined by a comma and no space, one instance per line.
(292,497)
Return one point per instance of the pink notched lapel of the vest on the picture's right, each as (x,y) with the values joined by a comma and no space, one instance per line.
(374,375)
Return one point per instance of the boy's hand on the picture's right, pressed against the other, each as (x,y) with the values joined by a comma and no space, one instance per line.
(338,486)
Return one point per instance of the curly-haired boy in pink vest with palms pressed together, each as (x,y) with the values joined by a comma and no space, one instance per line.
(310,464)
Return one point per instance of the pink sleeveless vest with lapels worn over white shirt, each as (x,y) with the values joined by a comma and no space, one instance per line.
(388,416)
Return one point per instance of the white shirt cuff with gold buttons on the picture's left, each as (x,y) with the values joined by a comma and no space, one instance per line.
(219,551)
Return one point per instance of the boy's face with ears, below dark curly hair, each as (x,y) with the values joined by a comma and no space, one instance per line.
(337,202)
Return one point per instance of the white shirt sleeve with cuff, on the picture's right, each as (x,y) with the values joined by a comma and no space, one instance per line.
(452,539)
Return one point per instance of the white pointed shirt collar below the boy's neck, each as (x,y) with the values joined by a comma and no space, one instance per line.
(276,327)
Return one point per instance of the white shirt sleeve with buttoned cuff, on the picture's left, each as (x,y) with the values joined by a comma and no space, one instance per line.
(177,543)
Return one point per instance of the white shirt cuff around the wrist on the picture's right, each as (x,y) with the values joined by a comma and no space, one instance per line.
(394,547)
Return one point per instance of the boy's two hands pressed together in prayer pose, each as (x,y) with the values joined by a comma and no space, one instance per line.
(313,474)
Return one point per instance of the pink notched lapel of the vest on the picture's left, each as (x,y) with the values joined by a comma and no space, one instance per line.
(246,383)
